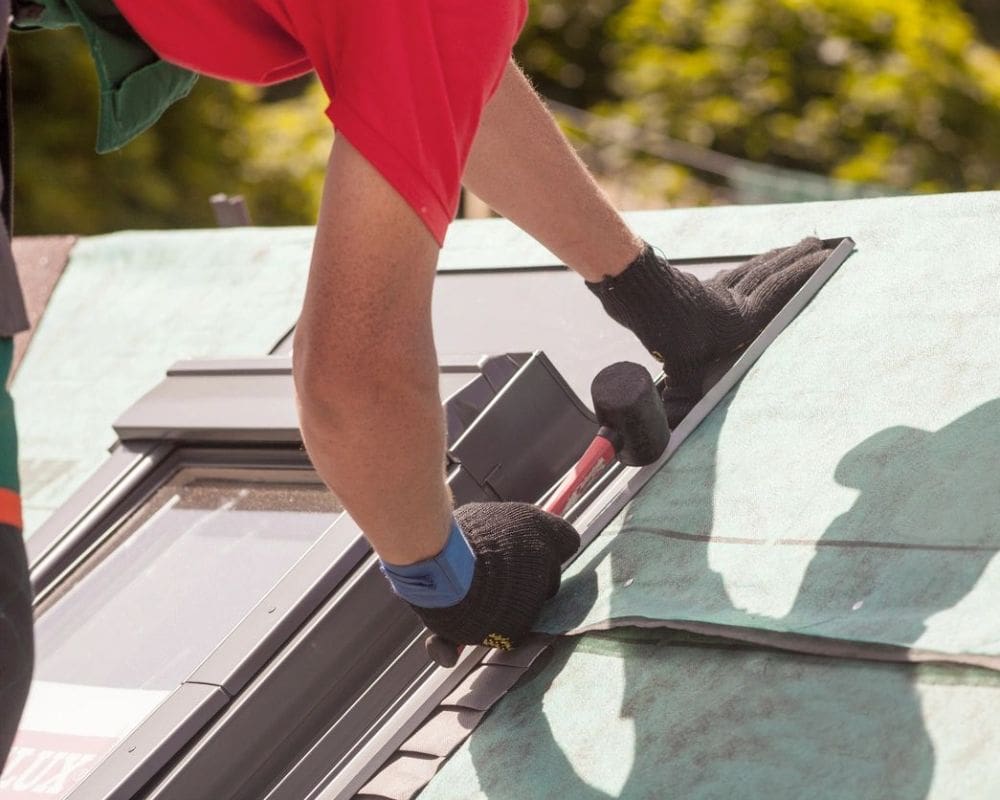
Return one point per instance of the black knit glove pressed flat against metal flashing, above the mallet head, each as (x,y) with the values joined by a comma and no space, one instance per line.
(689,325)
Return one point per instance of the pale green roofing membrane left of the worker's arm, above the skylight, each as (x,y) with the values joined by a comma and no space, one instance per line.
(127,307)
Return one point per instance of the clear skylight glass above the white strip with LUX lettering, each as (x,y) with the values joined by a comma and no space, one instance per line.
(179,576)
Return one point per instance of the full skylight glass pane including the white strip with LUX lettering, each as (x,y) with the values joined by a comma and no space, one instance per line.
(150,605)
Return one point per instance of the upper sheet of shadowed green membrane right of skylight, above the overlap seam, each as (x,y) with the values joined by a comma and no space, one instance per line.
(847,489)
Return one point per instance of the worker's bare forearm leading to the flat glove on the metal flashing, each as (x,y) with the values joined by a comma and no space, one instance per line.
(523,167)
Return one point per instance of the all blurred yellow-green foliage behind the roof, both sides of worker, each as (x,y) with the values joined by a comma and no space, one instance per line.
(899,93)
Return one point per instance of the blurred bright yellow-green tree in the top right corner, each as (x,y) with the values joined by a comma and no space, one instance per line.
(897,93)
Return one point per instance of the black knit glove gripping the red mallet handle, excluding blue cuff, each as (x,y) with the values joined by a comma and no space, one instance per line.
(519,553)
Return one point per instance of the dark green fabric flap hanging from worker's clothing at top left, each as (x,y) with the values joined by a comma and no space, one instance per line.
(136,85)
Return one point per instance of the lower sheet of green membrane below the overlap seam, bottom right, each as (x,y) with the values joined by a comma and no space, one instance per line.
(645,716)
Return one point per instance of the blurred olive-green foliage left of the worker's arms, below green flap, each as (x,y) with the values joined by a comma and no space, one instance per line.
(220,138)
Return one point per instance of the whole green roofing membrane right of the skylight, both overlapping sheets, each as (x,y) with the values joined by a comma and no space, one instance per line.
(844,501)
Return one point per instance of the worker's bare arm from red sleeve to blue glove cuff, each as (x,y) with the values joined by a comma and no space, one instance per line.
(365,365)
